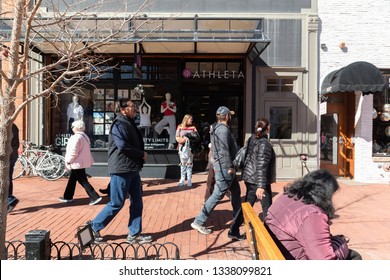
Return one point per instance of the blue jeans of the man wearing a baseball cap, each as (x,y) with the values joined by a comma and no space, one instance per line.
(223,182)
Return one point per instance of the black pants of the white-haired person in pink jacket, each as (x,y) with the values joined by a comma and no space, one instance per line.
(79,175)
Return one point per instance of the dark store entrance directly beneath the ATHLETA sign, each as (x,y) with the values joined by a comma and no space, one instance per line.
(202,101)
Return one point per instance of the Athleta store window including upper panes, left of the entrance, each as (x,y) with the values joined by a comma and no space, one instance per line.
(96,104)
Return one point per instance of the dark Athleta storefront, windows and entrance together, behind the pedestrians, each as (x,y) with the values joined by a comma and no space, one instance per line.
(197,87)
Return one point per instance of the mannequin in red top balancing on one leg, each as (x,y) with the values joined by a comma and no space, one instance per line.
(168,108)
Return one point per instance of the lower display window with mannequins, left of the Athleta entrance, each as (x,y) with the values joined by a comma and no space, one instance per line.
(97,108)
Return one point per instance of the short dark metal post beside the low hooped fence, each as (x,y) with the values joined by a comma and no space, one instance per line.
(38,245)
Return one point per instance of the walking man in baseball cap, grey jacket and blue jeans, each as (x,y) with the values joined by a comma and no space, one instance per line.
(224,149)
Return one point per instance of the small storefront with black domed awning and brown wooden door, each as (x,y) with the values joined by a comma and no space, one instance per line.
(356,103)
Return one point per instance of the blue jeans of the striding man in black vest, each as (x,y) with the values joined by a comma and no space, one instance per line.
(121,186)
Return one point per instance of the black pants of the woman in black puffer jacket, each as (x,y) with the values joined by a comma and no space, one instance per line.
(251,198)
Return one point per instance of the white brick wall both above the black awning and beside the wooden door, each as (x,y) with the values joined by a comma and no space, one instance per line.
(364,26)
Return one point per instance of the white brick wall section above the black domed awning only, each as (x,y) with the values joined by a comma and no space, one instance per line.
(364,26)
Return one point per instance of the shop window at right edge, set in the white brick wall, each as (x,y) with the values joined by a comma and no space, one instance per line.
(381,121)
